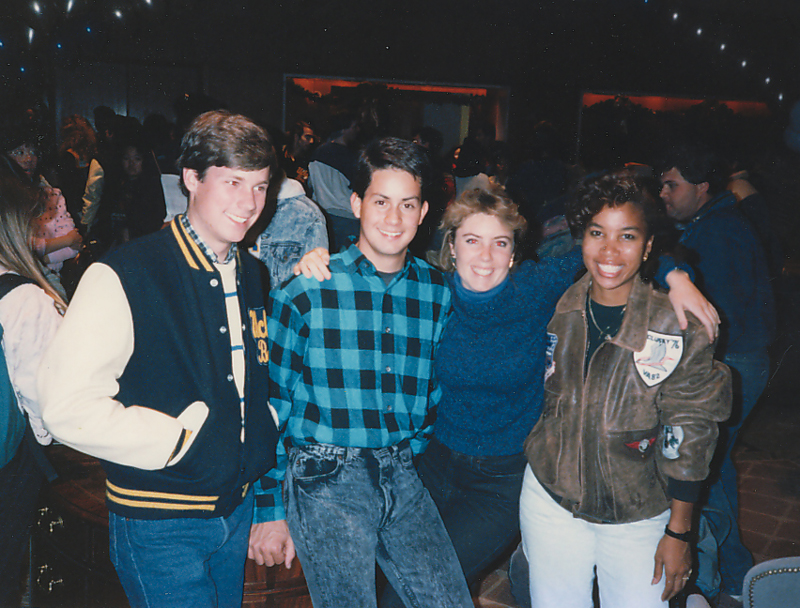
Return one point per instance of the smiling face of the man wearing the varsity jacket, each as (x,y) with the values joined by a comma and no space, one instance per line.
(225,204)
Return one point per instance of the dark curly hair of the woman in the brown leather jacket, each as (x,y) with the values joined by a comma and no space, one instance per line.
(614,189)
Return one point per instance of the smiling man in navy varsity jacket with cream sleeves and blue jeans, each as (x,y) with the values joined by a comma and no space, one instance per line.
(160,370)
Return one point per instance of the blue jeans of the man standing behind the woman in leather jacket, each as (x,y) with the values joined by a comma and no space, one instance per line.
(719,528)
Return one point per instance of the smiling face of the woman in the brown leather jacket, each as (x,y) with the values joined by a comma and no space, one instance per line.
(614,245)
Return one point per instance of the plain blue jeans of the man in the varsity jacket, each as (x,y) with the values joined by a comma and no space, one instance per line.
(183,562)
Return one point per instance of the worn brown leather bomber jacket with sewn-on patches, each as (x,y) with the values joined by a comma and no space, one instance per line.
(647,410)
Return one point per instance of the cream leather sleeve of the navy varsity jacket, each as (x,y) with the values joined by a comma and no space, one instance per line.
(78,381)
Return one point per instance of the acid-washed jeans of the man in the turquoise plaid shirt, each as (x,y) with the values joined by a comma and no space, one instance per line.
(348,507)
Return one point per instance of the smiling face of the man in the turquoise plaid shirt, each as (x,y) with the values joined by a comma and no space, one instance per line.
(390,212)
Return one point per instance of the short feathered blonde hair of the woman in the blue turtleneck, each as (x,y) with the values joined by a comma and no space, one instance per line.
(491,201)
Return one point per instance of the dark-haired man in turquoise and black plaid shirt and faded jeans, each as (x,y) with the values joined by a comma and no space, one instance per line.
(351,377)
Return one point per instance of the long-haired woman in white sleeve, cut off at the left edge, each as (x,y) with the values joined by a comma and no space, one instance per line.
(30,312)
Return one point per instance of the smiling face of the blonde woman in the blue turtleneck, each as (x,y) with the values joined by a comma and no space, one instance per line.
(483,248)
